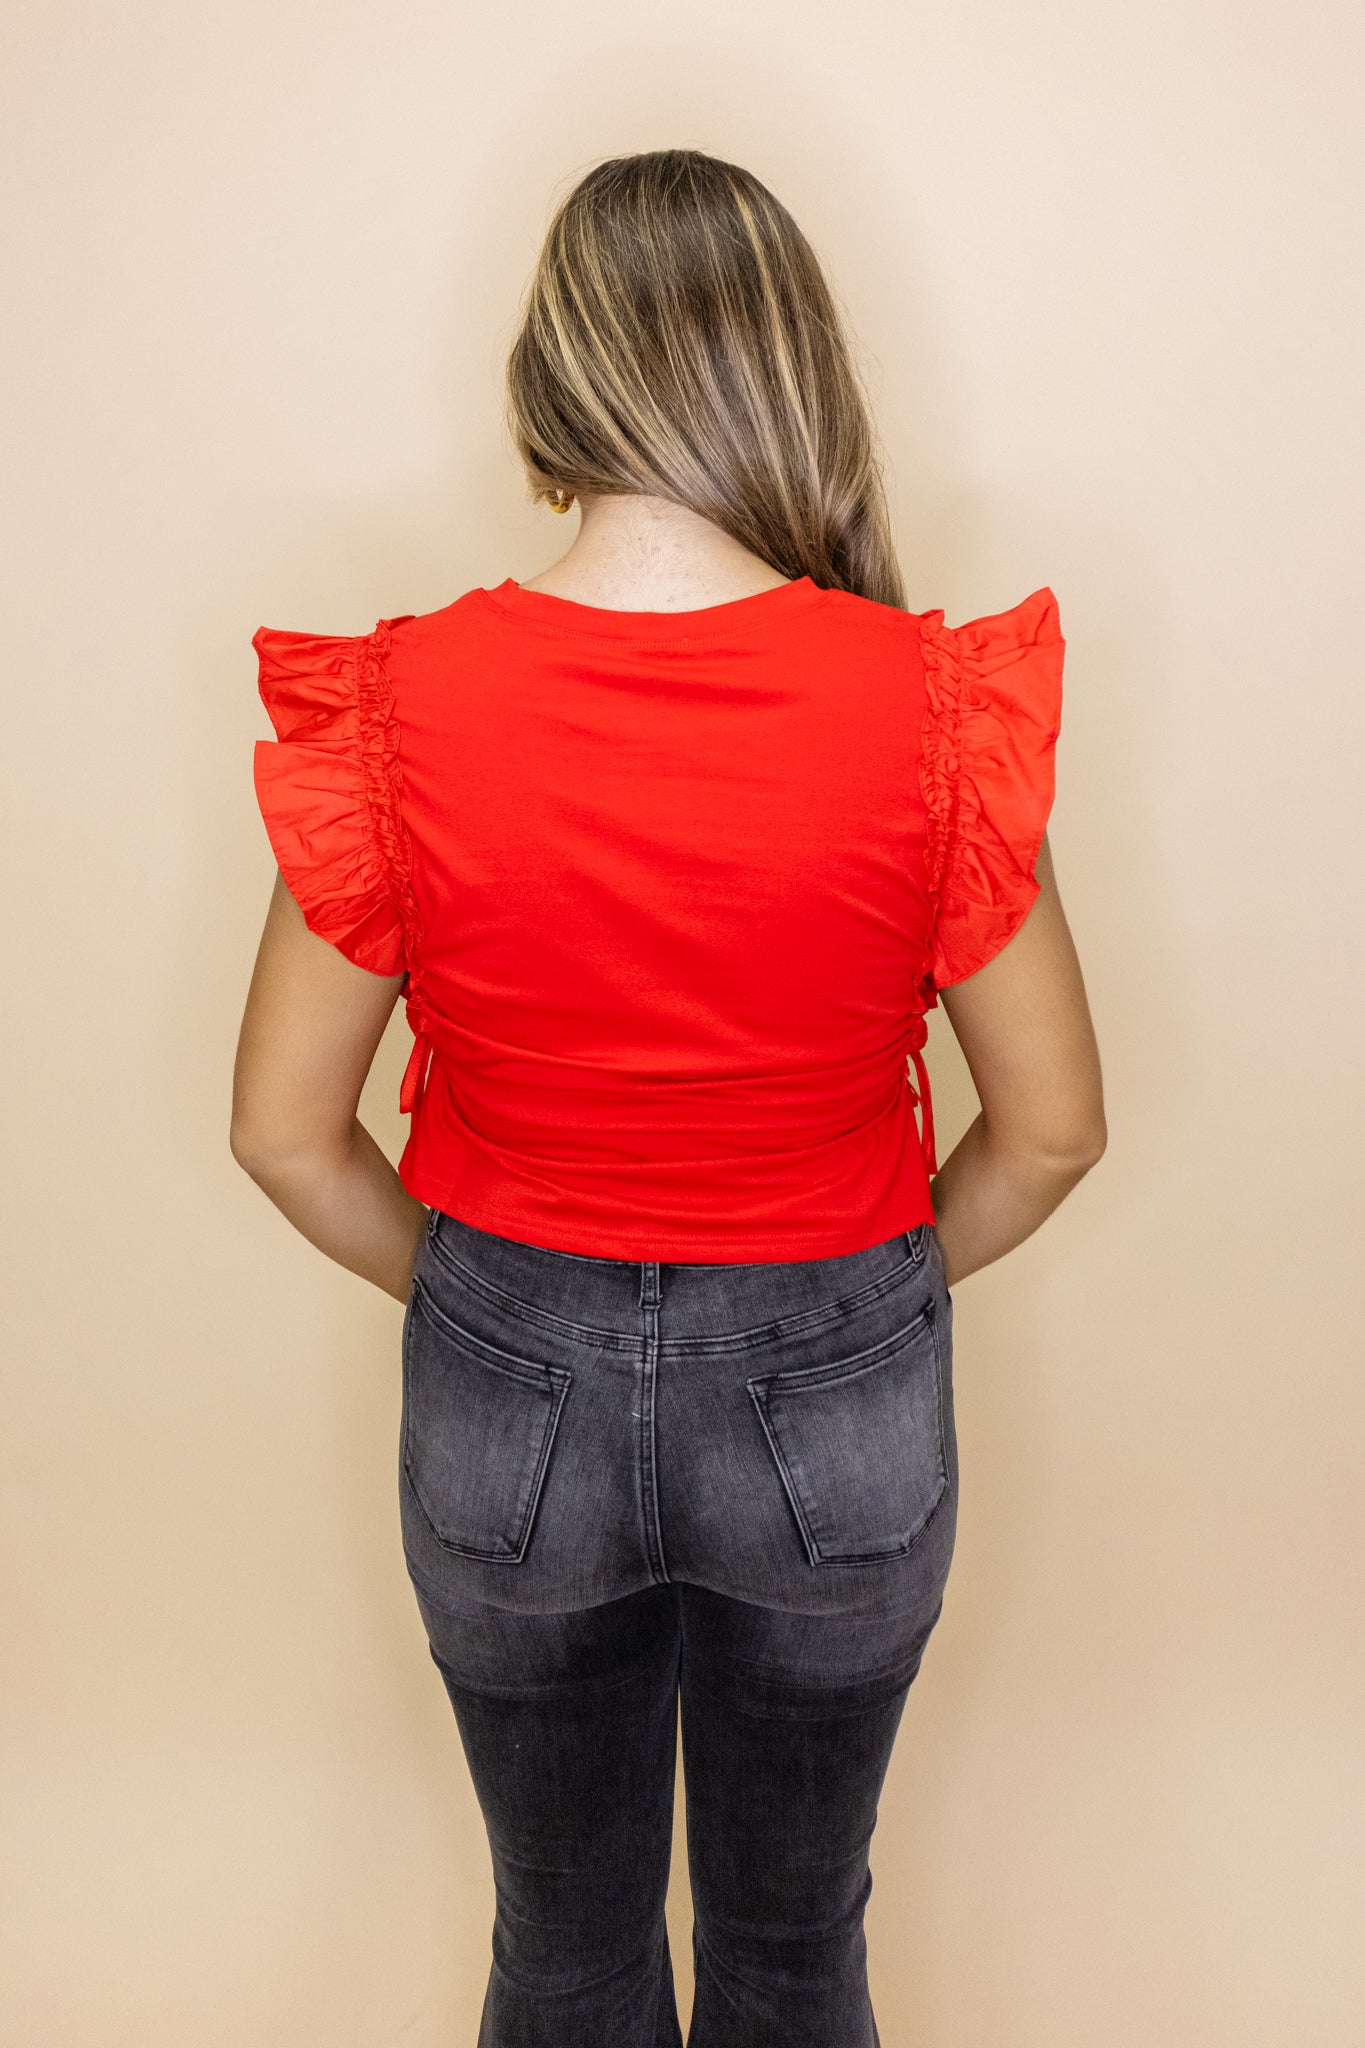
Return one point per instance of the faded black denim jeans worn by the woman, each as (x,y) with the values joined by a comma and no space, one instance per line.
(637,1488)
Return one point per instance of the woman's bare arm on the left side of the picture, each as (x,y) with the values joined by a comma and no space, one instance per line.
(310,1033)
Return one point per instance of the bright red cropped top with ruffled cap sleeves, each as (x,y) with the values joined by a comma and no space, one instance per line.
(672,894)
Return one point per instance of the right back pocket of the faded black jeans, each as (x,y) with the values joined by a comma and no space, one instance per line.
(861,1445)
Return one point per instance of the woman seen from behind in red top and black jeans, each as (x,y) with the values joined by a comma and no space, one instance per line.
(670,849)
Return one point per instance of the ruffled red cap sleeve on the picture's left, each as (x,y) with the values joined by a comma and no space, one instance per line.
(328,790)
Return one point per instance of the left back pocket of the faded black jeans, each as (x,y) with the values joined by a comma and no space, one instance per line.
(478,1435)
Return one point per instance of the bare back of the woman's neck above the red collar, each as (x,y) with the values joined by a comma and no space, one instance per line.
(652,556)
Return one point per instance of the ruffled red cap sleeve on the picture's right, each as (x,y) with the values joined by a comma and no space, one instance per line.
(987,773)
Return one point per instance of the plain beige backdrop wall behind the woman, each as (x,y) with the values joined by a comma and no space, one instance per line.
(1102,261)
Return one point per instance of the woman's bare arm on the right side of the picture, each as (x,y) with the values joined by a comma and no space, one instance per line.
(1024,1027)
